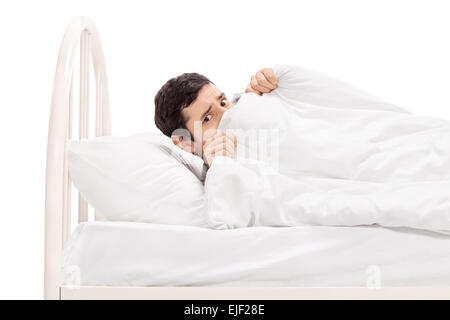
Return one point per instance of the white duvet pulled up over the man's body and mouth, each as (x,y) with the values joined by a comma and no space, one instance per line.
(343,158)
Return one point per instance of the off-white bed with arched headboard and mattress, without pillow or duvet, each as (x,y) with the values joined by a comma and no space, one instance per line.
(130,260)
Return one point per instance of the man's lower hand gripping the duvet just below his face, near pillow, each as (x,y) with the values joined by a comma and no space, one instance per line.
(221,143)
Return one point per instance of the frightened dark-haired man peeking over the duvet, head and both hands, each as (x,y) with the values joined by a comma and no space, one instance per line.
(188,108)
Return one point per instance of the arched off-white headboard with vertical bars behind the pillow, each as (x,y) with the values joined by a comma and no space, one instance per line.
(82,34)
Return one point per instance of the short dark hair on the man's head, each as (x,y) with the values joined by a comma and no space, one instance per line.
(175,95)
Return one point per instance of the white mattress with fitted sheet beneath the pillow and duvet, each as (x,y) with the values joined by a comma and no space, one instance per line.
(140,254)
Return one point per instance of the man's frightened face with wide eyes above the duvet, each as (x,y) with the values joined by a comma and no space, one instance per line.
(205,112)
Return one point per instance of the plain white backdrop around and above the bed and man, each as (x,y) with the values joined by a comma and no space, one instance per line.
(398,50)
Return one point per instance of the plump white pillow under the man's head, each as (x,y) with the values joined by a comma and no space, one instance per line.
(142,178)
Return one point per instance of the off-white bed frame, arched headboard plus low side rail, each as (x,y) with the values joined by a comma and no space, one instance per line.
(82,35)
